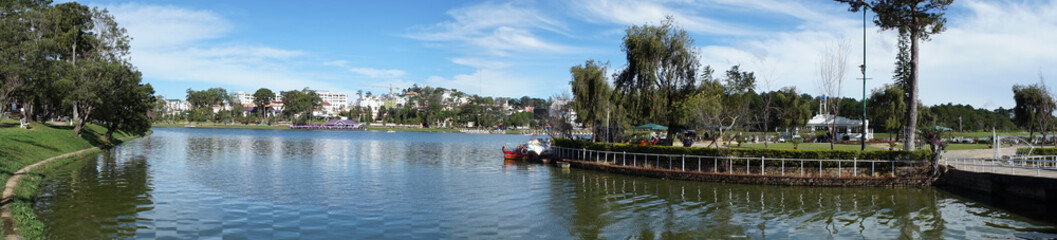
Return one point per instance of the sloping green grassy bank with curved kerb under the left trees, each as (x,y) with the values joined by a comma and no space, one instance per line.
(25,147)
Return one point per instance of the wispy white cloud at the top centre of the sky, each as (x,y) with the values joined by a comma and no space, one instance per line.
(496,29)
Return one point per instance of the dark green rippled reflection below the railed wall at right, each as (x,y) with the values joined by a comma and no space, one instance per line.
(614,207)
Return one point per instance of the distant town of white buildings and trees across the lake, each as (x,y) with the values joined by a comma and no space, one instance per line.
(413,107)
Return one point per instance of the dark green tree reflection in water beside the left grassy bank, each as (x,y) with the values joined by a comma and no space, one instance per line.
(101,197)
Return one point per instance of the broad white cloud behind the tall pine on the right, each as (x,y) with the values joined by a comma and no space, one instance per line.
(977,61)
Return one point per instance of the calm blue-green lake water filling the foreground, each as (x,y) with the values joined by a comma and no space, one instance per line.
(187,183)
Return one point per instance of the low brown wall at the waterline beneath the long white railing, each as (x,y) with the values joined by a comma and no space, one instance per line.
(750,179)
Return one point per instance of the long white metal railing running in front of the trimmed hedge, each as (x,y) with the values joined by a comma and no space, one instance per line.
(759,167)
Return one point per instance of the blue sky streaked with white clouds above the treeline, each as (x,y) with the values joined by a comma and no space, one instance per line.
(526,48)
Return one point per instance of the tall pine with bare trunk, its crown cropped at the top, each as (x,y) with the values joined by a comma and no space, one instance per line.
(917,21)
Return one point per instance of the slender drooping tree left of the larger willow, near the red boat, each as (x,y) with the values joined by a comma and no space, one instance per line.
(591,96)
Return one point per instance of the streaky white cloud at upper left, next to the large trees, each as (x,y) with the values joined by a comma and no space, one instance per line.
(172,44)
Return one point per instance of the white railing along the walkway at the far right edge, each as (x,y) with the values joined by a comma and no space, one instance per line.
(1024,165)
